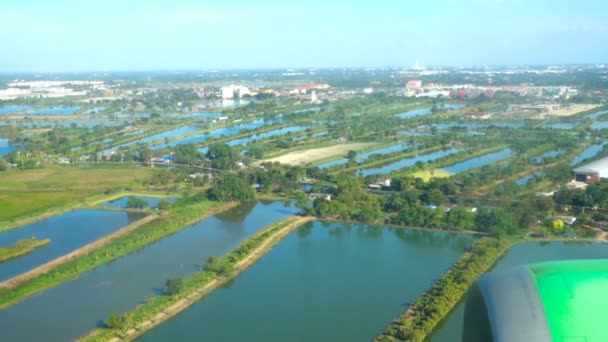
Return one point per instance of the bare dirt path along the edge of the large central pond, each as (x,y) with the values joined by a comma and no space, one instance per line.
(199,293)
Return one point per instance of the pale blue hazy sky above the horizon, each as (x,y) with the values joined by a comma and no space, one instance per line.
(109,35)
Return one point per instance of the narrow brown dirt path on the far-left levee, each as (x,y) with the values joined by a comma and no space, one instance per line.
(10,283)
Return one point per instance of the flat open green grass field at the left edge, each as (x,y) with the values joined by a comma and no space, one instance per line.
(31,192)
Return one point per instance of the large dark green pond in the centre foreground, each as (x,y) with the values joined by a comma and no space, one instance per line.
(323,282)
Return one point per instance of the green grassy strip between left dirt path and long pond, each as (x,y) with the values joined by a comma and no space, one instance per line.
(166,224)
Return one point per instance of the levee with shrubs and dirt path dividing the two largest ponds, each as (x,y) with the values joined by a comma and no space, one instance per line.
(161,308)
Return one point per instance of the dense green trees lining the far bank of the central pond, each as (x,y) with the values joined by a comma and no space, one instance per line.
(435,204)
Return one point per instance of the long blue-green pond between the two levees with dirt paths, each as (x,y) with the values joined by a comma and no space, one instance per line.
(73,308)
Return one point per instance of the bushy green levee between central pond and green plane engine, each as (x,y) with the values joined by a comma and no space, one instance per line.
(428,310)
